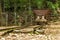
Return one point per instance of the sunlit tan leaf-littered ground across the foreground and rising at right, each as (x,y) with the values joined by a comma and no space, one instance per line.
(52,32)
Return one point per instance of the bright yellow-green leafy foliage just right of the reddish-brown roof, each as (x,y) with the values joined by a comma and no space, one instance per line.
(53,7)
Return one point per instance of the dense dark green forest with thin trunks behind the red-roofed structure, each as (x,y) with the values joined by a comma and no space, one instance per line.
(20,12)
